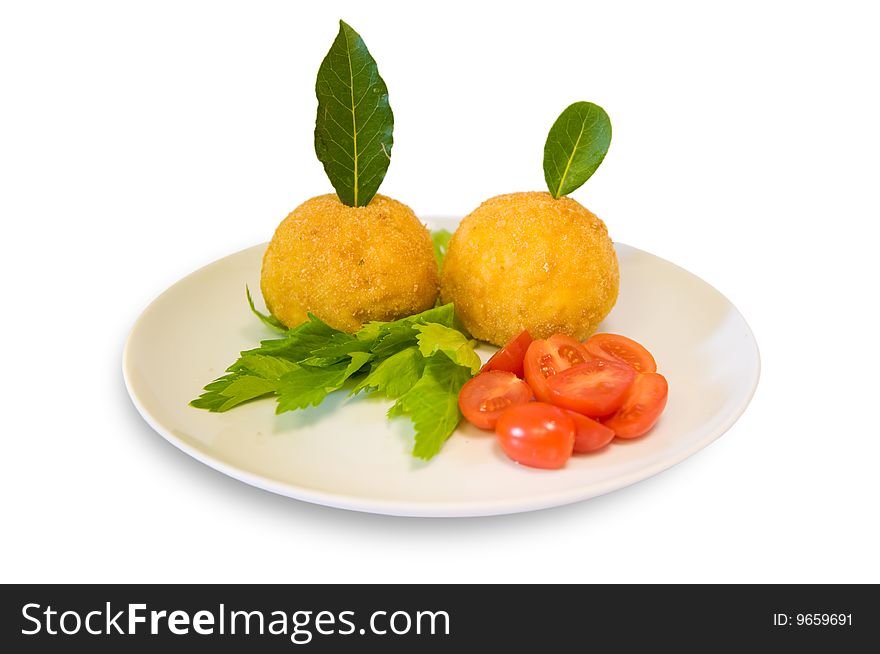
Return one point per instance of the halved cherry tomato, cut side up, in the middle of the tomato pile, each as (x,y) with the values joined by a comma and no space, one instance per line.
(595,388)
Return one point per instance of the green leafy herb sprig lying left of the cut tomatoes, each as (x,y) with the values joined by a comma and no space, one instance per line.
(421,362)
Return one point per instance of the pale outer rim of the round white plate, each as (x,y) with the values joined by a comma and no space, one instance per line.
(440,509)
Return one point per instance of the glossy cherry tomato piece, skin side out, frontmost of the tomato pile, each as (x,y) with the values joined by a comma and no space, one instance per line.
(536,434)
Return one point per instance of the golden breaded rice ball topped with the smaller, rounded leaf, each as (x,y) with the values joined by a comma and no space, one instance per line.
(527,261)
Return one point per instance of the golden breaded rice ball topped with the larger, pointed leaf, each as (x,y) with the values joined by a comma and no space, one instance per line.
(349,265)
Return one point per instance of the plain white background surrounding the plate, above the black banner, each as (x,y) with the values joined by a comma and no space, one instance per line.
(139,141)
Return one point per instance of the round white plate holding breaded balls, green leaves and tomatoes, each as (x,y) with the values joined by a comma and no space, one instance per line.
(346,454)
